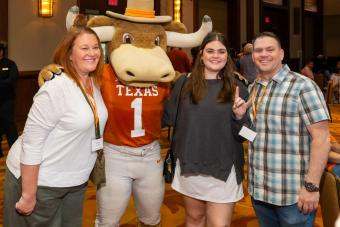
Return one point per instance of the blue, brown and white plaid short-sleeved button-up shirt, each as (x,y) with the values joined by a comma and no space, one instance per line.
(279,156)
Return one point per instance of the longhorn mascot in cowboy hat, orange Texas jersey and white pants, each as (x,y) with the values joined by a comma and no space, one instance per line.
(135,87)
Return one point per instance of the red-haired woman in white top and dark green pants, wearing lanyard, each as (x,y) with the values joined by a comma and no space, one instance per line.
(49,165)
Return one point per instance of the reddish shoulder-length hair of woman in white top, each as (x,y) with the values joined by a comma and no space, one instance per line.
(64,49)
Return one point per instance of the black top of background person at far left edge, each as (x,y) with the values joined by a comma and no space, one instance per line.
(8,76)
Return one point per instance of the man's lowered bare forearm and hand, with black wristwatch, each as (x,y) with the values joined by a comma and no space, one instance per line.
(319,148)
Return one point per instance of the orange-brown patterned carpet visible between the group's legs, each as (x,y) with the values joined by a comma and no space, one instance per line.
(173,208)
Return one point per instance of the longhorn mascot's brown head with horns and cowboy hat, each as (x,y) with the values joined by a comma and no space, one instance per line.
(138,41)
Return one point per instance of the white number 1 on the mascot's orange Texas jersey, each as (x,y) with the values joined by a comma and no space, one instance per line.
(136,104)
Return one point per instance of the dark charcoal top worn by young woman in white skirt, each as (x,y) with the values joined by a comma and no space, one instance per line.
(206,139)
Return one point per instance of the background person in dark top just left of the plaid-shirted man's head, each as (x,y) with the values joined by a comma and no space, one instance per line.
(247,66)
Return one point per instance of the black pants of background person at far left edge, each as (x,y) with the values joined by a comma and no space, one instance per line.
(7,121)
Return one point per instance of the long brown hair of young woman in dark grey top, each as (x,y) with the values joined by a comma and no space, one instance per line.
(196,85)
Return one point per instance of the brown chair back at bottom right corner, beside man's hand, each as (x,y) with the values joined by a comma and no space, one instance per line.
(329,198)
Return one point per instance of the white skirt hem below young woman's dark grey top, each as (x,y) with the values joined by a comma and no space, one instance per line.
(208,188)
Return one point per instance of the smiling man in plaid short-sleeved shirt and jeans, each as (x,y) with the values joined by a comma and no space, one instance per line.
(287,157)
